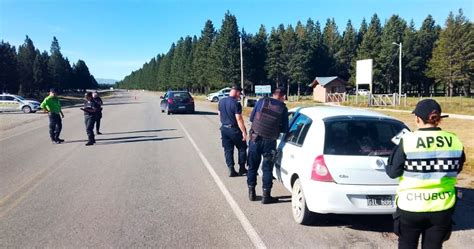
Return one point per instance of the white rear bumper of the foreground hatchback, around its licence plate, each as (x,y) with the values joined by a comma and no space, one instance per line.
(329,197)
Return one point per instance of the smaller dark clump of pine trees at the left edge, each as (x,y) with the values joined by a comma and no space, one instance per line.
(30,72)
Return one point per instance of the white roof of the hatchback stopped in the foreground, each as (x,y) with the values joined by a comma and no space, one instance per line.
(323,112)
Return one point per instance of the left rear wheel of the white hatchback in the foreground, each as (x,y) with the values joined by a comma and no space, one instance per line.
(301,214)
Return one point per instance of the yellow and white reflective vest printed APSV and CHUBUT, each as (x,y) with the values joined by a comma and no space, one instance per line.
(430,171)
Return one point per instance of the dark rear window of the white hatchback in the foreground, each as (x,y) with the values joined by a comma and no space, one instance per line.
(361,137)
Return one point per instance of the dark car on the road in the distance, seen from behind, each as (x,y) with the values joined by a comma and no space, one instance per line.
(177,101)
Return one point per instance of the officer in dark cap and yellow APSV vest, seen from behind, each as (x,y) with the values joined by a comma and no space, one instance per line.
(427,161)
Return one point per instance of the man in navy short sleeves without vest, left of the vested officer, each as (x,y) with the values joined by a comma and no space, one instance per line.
(233,131)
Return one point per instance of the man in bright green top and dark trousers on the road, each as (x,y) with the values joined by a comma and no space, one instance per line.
(52,106)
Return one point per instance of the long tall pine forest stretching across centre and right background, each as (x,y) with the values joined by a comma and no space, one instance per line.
(436,60)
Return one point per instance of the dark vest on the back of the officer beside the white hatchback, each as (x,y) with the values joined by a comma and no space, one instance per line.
(267,120)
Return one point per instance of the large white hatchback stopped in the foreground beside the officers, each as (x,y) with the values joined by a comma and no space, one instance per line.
(333,161)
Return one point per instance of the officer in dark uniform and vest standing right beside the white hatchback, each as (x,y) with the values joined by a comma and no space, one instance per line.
(269,118)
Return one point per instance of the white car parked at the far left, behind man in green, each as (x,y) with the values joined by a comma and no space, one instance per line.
(11,102)
